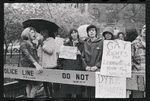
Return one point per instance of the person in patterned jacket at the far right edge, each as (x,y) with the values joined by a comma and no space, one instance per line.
(138,48)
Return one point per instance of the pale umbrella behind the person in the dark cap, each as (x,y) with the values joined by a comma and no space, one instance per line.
(82,31)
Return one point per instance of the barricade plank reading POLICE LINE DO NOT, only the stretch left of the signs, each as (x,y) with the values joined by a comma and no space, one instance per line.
(51,75)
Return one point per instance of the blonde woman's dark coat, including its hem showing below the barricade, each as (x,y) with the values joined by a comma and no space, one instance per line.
(28,57)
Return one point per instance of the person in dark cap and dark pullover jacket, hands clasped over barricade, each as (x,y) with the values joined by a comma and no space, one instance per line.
(92,55)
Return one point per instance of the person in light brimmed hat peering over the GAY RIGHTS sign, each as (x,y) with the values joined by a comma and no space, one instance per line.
(108,33)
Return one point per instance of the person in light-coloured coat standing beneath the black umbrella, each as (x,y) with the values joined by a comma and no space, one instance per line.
(49,60)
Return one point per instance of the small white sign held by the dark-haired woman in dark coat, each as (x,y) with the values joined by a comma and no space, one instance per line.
(68,52)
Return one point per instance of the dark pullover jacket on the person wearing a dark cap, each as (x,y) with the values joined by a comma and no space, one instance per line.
(92,53)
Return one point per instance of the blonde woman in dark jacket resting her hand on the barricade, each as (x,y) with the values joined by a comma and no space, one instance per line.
(29,59)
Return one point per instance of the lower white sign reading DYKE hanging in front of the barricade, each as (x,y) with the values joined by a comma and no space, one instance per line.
(109,86)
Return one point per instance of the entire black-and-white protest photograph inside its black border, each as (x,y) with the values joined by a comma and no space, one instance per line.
(74,50)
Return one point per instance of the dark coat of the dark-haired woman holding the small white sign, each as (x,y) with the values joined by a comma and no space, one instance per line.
(68,64)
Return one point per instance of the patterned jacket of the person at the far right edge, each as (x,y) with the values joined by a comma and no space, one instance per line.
(138,48)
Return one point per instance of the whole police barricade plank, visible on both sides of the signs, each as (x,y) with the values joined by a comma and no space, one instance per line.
(84,78)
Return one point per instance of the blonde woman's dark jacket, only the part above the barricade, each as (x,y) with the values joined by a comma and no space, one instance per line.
(28,54)
